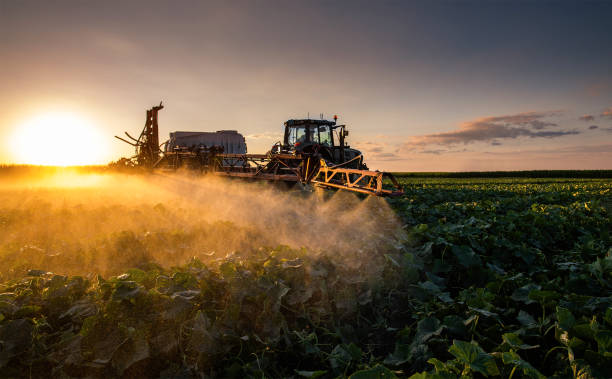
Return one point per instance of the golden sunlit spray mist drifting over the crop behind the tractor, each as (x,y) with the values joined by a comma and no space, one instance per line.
(71,221)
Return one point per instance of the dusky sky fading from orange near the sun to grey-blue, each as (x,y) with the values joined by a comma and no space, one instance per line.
(421,85)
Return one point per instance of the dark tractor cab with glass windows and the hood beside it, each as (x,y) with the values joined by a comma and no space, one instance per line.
(321,137)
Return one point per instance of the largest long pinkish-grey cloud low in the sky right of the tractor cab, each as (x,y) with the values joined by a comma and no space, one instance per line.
(491,129)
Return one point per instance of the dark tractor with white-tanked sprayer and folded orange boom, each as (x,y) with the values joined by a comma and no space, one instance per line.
(312,152)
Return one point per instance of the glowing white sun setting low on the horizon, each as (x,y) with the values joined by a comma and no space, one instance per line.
(58,139)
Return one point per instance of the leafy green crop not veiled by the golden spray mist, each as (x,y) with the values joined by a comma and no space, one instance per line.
(491,278)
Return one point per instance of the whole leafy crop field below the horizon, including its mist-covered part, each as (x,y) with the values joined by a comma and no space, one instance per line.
(473,277)
